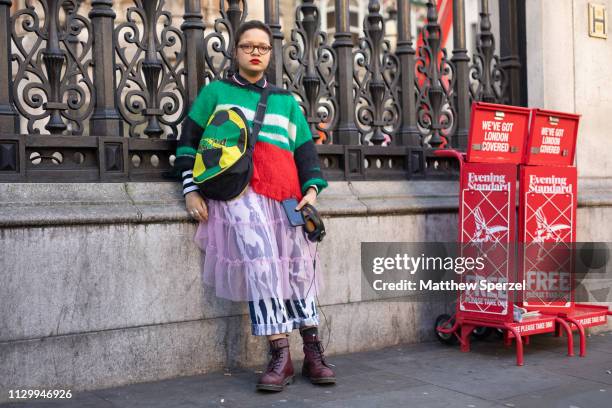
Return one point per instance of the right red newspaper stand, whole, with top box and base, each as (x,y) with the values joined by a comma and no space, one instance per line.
(547,225)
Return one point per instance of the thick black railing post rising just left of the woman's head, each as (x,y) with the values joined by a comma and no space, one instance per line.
(193,29)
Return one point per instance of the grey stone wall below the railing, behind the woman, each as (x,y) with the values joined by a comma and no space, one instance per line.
(101,282)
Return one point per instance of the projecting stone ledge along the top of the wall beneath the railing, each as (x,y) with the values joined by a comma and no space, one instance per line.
(45,204)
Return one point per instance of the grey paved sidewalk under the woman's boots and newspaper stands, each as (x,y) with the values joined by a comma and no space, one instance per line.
(419,375)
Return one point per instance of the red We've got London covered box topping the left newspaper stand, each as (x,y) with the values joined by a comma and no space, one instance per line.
(497,133)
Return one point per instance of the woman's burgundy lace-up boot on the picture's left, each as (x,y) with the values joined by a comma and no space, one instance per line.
(280,369)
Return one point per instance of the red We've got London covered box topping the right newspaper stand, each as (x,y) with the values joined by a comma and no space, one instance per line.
(552,138)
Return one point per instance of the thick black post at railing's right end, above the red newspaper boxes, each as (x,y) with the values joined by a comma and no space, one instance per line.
(509,49)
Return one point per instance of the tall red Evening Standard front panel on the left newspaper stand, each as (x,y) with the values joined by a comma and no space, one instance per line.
(487,214)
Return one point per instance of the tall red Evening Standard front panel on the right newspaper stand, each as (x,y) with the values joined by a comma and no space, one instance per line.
(547,227)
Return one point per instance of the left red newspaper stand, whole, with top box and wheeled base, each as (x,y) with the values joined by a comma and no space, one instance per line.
(487,227)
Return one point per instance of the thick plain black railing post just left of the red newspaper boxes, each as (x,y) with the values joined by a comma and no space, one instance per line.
(461,61)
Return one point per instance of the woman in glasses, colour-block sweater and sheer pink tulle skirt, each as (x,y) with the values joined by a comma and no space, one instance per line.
(252,253)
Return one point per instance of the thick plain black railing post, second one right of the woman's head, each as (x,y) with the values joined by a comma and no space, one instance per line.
(346,131)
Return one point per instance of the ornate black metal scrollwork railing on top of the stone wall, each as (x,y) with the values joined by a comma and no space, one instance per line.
(92,93)
